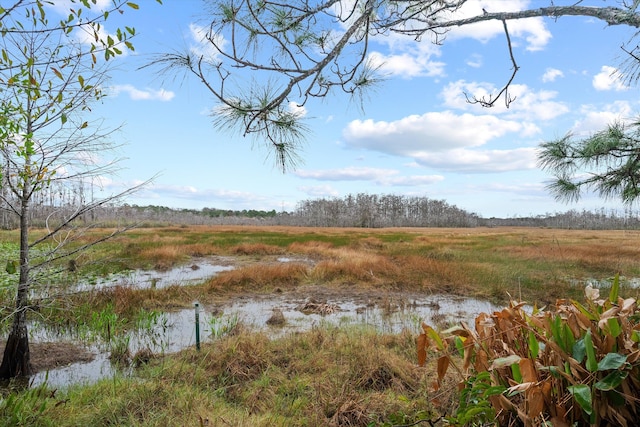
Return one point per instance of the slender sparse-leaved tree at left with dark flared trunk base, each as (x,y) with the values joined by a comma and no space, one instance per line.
(49,80)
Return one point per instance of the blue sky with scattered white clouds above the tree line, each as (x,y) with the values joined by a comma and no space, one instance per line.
(416,135)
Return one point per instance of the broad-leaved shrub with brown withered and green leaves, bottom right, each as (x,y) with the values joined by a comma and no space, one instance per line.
(574,365)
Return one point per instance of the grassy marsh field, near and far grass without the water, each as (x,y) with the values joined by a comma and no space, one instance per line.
(328,376)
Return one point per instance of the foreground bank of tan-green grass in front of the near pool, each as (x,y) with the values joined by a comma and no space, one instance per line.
(321,377)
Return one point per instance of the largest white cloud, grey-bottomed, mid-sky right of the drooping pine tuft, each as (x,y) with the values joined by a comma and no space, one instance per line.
(435,131)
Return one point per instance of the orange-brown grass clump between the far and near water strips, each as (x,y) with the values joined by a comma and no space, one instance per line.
(260,276)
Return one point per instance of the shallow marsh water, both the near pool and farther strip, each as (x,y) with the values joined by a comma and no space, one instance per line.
(388,312)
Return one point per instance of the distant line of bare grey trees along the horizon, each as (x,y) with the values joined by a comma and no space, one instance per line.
(359,210)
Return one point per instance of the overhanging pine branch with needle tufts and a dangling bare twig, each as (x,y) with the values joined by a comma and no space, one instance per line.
(270,57)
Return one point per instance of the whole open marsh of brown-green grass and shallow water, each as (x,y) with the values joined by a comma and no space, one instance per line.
(328,373)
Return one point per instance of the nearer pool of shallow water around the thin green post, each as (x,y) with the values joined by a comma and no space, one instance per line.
(176,330)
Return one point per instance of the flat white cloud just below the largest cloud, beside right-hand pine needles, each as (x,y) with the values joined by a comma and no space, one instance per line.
(480,161)
